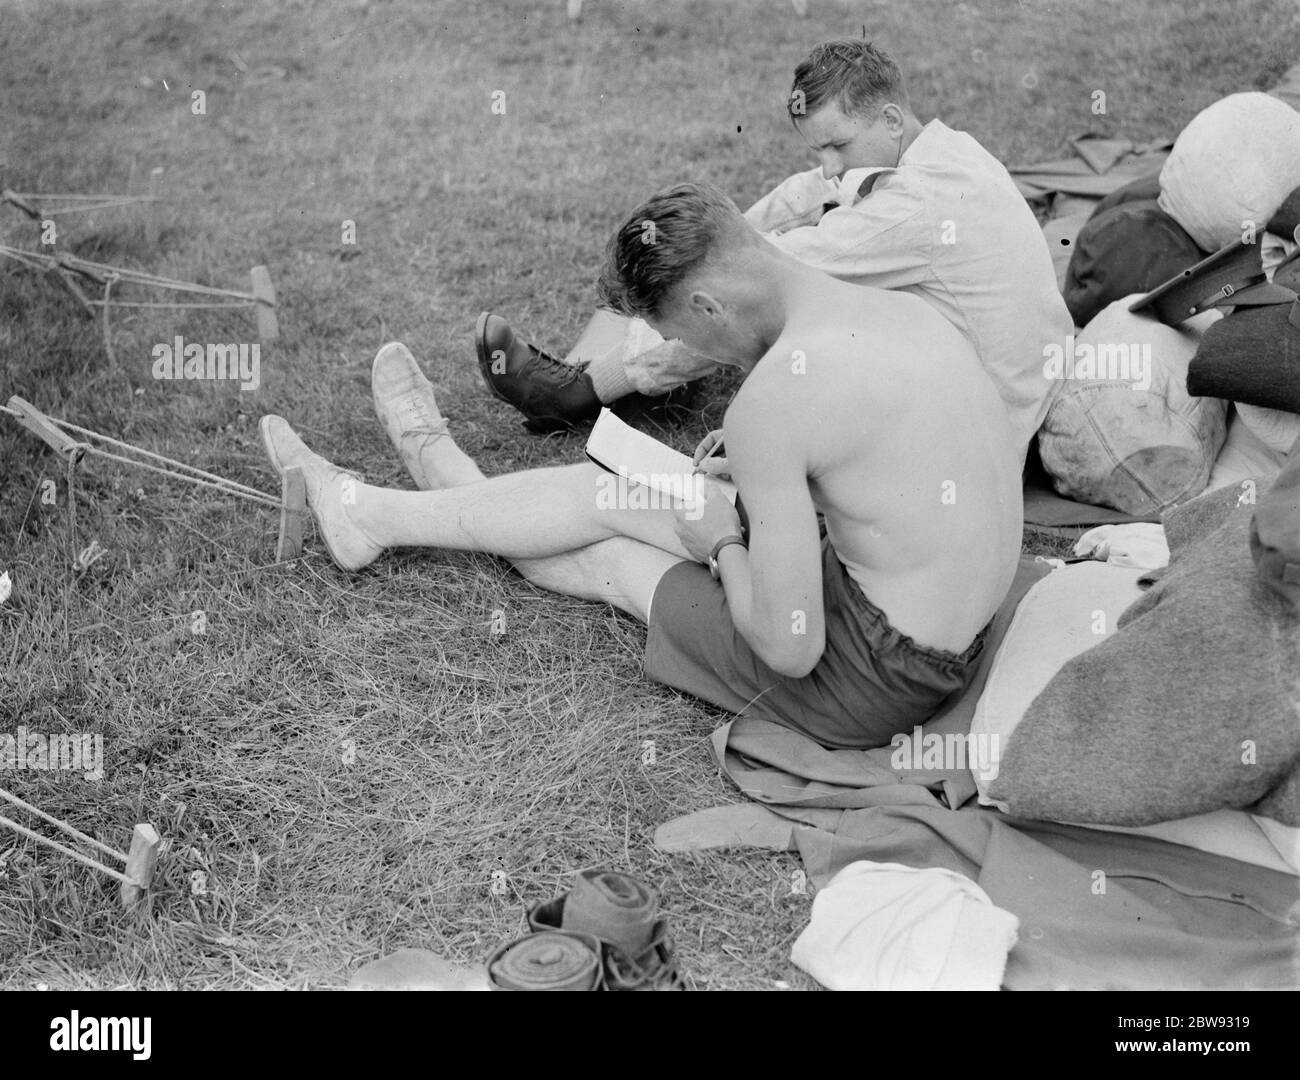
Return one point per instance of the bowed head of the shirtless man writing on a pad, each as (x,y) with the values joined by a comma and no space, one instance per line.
(686,263)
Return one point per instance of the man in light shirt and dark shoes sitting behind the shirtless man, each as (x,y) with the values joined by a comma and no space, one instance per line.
(895,205)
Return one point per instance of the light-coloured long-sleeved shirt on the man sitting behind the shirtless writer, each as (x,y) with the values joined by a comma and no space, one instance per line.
(950,225)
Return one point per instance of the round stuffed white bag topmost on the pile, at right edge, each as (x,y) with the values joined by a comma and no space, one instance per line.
(1233,166)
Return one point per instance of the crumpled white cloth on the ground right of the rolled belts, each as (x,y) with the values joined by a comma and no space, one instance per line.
(891,927)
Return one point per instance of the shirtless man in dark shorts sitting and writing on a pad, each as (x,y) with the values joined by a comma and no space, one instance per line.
(848,639)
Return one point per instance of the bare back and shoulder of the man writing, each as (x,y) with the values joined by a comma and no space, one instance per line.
(908,452)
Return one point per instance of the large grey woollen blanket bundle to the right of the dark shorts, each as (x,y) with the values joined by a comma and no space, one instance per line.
(1190,706)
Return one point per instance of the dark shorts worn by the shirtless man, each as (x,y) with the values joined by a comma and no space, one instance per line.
(870,684)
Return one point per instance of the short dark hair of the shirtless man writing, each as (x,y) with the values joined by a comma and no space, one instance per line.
(665,240)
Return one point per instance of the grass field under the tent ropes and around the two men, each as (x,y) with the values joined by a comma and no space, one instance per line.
(289,861)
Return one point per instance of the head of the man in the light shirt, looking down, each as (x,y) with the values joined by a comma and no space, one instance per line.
(851,106)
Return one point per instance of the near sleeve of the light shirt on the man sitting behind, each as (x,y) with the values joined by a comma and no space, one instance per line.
(885,240)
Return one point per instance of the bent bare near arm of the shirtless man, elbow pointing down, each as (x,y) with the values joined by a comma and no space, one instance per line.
(774,589)
